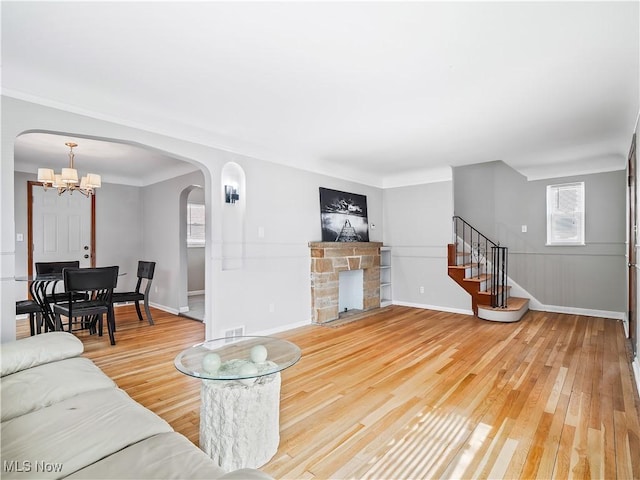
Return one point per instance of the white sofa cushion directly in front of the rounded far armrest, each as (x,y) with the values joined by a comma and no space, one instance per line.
(38,387)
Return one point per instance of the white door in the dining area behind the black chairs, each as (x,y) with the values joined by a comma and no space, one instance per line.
(61,227)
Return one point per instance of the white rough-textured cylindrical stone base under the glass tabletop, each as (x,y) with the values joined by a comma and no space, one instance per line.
(240,424)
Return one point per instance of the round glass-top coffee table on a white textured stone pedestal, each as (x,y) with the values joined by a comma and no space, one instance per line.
(240,396)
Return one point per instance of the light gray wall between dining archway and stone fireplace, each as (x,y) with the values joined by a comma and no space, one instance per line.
(272,289)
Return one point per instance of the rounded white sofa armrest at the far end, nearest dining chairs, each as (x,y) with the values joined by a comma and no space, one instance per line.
(33,351)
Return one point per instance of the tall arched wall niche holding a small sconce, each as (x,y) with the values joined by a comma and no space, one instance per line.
(233,200)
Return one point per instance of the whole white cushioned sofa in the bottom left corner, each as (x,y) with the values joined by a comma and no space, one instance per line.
(62,417)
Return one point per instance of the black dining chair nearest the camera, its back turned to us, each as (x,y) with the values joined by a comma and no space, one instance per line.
(98,284)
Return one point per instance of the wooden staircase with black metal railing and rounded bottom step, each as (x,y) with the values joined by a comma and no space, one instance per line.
(479,265)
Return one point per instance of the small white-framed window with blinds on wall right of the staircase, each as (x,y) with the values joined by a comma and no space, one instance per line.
(565,214)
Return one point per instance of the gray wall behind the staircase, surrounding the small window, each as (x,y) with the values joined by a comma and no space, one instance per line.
(498,201)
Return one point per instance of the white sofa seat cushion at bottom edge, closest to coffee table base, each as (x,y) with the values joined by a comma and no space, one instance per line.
(166,455)
